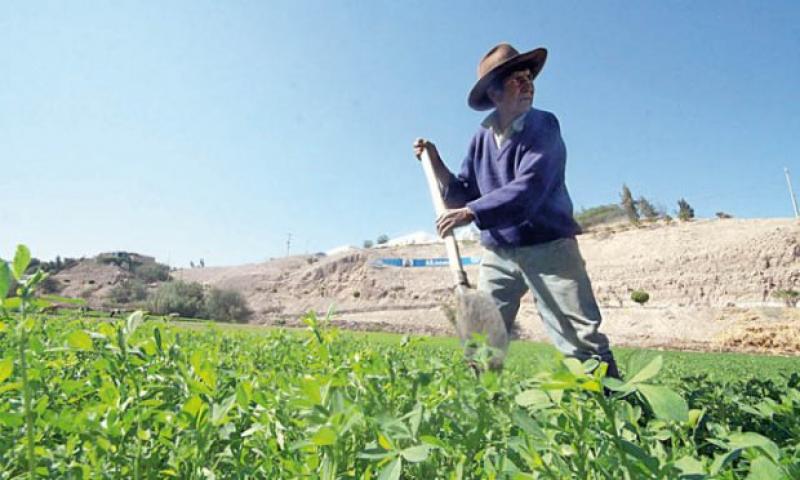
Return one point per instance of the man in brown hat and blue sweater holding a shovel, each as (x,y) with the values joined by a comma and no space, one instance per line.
(511,185)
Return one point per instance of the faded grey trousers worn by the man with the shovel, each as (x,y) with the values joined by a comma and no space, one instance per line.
(556,274)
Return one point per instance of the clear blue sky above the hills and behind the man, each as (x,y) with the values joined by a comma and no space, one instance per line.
(213,129)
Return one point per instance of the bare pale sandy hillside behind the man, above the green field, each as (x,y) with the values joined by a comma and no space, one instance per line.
(711,285)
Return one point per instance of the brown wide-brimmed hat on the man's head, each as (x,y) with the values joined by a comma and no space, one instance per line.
(501,59)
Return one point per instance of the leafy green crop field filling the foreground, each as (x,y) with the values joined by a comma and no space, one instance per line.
(144,397)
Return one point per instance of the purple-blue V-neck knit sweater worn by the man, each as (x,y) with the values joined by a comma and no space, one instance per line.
(517,192)
